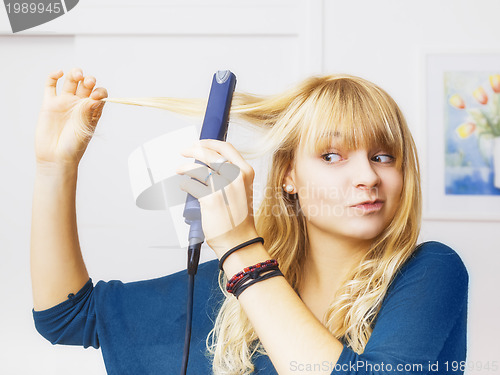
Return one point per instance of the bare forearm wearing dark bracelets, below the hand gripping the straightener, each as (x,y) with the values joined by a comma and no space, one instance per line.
(288,330)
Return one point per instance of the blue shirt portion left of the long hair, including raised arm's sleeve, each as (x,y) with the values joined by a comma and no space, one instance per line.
(134,320)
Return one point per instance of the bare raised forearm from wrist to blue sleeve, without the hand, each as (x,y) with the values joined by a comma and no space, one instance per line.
(57,266)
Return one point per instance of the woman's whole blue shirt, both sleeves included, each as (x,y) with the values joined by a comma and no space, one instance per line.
(420,329)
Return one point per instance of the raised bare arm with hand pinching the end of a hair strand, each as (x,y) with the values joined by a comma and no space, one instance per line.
(64,129)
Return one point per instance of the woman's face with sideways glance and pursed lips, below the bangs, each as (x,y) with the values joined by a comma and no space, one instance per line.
(348,194)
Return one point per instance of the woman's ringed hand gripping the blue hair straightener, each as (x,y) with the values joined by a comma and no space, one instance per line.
(225,193)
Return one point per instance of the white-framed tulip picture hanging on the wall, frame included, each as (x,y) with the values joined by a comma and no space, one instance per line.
(462,137)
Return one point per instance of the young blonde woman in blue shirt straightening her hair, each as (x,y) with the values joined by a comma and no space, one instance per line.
(351,292)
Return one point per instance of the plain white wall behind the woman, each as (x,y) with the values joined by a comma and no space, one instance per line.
(171,48)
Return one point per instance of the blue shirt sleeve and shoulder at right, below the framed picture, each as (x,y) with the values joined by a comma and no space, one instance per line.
(421,321)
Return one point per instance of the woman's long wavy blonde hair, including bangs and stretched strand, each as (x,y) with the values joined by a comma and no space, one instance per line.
(361,114)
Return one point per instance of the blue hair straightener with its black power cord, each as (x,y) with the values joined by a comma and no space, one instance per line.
(214,126)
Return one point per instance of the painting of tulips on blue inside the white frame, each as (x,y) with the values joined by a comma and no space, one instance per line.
(472,132)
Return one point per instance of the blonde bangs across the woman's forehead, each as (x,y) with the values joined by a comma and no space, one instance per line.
(351,116)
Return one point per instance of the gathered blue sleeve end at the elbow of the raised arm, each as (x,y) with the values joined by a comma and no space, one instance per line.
(72,322)
